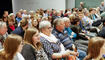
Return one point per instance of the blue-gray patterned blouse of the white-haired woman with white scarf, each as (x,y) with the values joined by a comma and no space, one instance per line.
(50,47)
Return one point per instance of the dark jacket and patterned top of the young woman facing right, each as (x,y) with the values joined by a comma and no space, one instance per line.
(30,53)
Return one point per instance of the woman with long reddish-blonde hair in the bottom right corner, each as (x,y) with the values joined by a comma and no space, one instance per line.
(96,49)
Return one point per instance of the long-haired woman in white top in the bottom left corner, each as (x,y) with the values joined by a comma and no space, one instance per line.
(12,46)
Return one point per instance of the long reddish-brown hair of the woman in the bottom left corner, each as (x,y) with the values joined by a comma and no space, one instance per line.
(11,46)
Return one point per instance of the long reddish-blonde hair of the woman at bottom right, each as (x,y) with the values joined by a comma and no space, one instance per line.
(94,47)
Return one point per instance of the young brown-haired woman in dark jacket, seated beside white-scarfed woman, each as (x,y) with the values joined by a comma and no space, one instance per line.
(32,50)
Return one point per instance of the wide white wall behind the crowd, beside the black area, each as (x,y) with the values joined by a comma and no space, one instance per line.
(35,4)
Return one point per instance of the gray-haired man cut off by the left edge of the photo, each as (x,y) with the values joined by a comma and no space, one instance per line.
(3,33)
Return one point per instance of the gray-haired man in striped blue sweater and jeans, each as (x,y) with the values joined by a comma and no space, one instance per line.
(64,38)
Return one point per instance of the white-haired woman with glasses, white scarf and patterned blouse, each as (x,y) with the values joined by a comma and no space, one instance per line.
(52,46)
